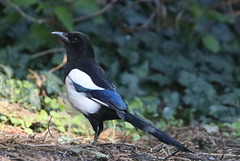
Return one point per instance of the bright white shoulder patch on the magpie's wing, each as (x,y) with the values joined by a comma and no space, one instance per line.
(83,79)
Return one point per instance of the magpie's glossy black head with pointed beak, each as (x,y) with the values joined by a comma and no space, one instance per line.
(76,44)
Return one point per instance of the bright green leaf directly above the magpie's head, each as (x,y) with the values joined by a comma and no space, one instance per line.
(65,16)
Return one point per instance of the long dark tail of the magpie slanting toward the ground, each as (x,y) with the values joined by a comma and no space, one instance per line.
(162,136)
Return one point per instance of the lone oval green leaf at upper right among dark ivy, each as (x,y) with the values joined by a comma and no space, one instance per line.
(211,43)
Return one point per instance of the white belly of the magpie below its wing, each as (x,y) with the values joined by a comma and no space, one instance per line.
(79,100)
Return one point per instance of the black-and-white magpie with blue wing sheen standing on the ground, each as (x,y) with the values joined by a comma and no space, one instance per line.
(90,90)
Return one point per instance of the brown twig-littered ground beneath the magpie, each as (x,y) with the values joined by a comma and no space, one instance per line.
(15,144)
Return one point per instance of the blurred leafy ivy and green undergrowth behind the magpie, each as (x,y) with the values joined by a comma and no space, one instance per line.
(174,61)
